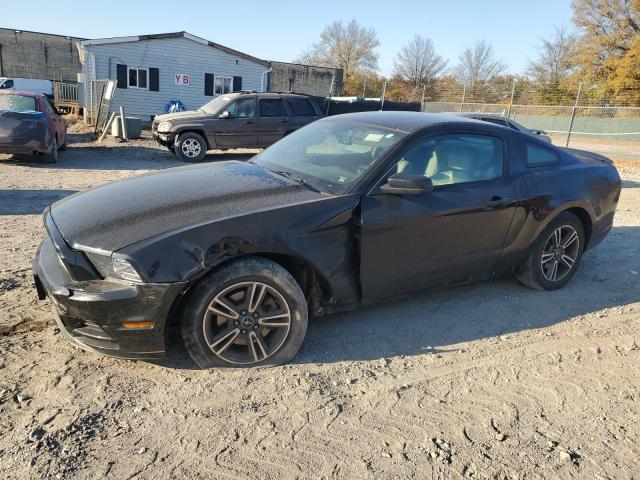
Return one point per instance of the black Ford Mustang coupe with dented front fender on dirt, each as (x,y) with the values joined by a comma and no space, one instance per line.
(347,210)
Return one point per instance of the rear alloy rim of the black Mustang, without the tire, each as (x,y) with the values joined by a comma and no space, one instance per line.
(560,253)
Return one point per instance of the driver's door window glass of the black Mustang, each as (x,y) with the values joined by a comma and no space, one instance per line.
(451,159)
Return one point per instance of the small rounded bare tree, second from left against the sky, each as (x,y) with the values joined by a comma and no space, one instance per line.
(418,63)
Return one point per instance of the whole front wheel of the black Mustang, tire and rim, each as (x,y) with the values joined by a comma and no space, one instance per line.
(228,334)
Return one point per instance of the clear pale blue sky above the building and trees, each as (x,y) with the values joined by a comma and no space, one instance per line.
(280,30)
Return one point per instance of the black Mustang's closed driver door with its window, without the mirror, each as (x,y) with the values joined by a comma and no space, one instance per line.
(457,232)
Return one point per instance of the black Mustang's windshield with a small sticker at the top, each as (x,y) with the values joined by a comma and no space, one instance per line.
(329,154)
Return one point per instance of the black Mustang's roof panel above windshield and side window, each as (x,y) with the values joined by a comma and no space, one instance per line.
(404,121)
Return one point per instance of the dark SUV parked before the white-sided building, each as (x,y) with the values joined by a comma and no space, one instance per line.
(234,120)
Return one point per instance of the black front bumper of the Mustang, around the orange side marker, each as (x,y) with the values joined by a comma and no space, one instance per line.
(91,313)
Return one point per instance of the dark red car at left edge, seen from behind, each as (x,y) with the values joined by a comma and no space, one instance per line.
(31,125)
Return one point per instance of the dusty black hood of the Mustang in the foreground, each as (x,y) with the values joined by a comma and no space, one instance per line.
(118,214)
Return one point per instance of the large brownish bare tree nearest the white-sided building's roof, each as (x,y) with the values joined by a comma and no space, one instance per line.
(350,47)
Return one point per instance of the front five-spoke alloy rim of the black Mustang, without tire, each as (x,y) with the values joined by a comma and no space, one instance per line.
(247,323)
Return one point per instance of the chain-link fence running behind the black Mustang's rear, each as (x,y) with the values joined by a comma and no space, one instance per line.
(588,121)
